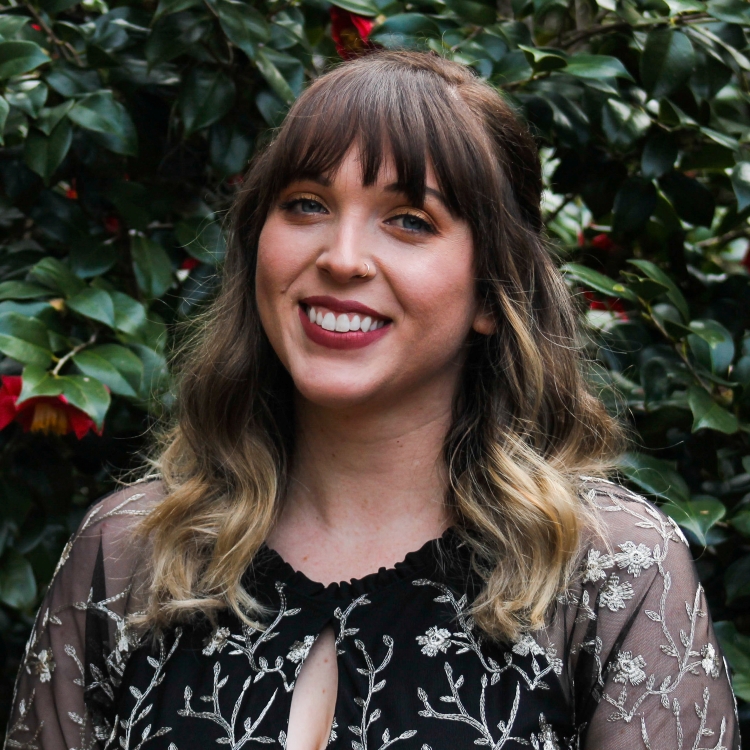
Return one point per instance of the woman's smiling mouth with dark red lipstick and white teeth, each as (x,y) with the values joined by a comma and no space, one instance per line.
(341,329)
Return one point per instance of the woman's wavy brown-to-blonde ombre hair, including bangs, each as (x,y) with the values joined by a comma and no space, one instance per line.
(525,425)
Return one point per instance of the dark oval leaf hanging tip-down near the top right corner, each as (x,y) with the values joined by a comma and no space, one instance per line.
(667,61)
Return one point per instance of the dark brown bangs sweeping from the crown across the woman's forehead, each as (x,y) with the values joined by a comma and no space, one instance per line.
(388,112)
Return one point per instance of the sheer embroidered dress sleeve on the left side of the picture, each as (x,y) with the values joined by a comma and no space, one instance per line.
(78,648)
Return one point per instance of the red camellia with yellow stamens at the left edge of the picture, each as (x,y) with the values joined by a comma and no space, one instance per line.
(51,415)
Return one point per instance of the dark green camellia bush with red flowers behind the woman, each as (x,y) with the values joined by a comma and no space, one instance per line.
(127,128)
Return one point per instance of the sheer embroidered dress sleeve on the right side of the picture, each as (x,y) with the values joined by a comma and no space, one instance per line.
(646,668)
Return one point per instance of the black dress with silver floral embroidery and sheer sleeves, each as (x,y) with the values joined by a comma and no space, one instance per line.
(628,660)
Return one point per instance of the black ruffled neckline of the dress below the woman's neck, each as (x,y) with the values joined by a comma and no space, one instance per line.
(440,554)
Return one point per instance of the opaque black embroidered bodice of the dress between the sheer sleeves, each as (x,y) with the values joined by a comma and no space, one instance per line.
(412,673)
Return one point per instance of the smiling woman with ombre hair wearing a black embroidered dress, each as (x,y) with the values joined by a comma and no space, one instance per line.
(386,393)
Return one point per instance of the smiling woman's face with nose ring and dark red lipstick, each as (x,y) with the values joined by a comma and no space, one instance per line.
(347,339)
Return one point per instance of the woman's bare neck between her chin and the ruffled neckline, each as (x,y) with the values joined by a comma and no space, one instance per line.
(365,488)
